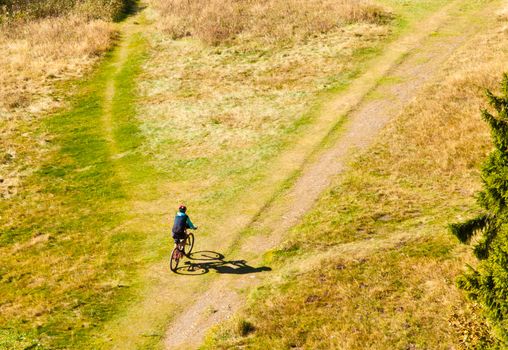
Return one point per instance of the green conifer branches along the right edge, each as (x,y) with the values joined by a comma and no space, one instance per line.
(488,283)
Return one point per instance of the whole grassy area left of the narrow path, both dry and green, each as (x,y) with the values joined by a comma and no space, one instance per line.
(55,179)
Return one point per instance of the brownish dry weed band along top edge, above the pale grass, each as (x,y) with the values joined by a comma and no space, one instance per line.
(218,21)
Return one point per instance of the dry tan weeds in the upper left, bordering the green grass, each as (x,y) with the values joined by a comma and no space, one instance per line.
(35,55)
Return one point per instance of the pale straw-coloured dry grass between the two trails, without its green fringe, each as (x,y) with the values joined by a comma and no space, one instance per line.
(220,102)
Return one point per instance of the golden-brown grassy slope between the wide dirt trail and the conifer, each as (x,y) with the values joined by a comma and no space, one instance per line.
(373,266)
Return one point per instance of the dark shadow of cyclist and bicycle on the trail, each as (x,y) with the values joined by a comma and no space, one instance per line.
(202,262)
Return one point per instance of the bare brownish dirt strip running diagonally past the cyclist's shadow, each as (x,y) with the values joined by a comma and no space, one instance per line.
(408,63)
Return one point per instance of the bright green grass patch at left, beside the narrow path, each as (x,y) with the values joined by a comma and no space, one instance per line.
(74,273)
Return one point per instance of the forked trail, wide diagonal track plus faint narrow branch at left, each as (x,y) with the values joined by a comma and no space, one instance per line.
(190,304)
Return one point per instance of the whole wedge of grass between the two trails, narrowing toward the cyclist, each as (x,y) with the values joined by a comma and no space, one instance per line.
(212,113)
